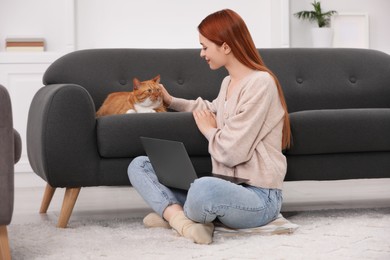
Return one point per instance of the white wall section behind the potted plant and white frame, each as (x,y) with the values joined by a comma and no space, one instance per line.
(377,10)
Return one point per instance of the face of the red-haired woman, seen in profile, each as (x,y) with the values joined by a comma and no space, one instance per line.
(212,53)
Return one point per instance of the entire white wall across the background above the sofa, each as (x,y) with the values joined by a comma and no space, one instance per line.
(78,24)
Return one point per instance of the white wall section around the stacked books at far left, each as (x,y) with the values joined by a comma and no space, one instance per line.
(52,20)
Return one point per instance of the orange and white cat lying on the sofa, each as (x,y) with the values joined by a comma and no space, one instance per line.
(146,97)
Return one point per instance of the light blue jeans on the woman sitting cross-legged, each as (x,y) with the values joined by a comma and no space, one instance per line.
(208,199)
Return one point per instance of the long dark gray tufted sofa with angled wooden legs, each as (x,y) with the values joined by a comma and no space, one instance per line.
(338,99)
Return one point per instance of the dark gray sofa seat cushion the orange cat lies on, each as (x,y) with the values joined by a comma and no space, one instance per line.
(118,135)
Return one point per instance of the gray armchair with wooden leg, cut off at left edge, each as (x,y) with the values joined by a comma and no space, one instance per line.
(10,151)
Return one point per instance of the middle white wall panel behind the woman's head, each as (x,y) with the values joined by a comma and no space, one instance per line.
(168,23)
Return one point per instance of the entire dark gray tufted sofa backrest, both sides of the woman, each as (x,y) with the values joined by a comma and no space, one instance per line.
(311,78)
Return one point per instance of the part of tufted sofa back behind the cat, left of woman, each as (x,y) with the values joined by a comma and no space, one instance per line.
(102,71)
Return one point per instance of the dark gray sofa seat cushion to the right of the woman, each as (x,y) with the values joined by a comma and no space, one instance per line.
(340,131)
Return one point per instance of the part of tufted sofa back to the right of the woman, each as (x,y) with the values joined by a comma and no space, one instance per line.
(315,79)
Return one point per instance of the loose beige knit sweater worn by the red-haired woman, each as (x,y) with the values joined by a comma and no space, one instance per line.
(248,138)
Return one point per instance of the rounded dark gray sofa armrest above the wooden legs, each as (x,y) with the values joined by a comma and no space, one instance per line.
(61,136)
